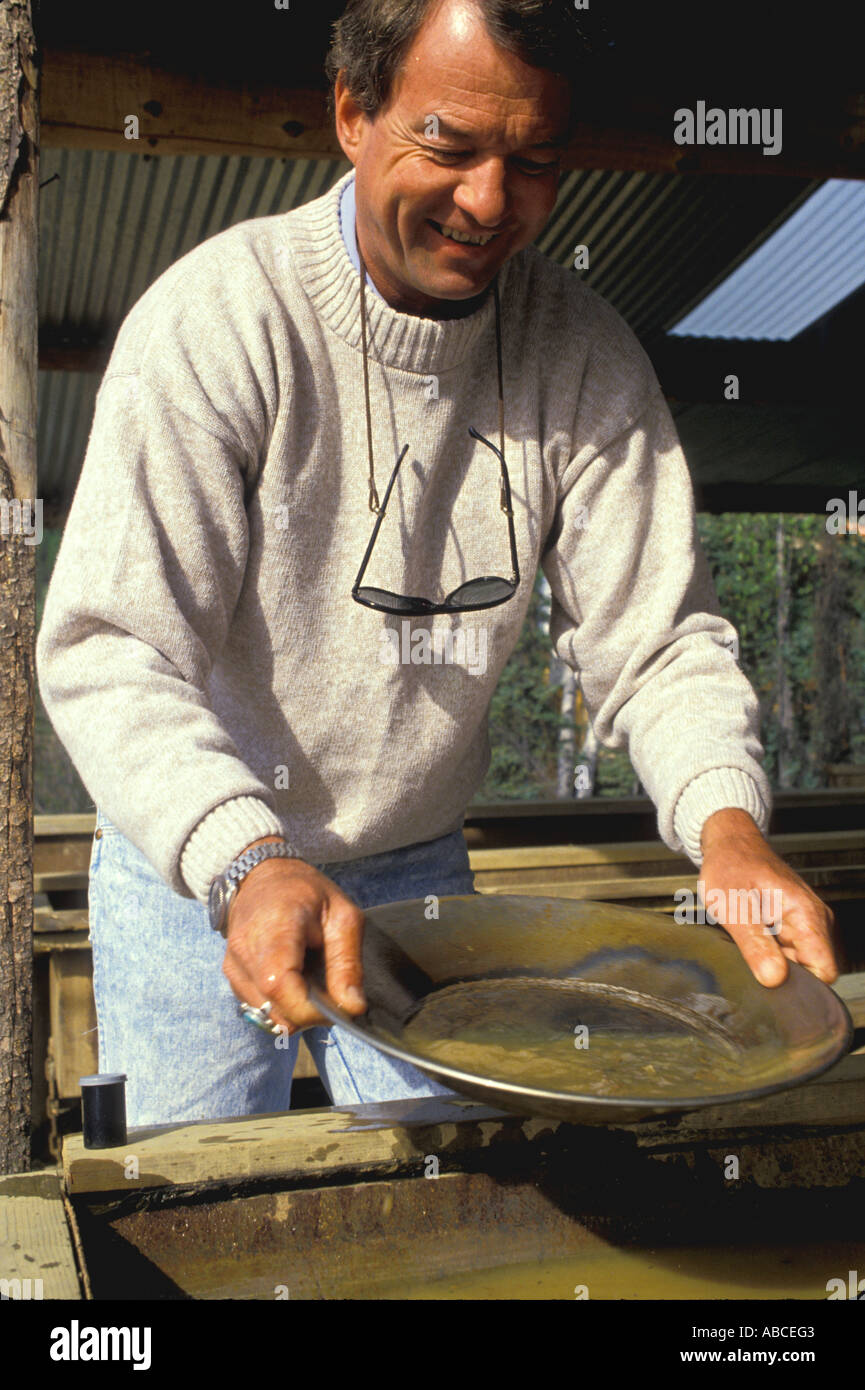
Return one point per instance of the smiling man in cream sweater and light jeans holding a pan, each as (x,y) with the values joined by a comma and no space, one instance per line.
(204,657)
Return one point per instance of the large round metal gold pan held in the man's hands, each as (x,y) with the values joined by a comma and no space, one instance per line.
(583,1011)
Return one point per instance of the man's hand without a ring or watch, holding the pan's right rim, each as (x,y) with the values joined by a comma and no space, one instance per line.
(736,861)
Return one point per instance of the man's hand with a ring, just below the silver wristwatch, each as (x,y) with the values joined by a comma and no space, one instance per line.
(283,908)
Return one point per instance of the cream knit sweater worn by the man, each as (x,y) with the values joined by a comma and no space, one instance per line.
(201,655)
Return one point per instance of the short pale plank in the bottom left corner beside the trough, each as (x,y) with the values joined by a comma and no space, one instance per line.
(35,1243)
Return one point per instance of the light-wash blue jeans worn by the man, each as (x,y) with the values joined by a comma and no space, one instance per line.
(169,1018)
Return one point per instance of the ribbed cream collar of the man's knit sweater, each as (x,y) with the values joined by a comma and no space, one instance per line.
(333,287)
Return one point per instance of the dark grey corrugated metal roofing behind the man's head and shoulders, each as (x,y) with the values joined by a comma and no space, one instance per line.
(112,223)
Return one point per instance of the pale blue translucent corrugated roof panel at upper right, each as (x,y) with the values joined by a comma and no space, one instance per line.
(807,268)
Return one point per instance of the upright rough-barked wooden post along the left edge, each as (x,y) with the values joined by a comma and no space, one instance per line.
(20,532)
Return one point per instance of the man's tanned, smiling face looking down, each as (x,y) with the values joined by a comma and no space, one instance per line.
(492,173)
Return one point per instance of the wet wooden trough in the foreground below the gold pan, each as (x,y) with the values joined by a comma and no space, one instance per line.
(442,1199)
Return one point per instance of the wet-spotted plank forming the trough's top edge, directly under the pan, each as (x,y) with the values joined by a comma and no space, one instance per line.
(385,1138)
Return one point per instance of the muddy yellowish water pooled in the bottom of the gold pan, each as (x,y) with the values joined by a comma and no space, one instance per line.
(561,1036)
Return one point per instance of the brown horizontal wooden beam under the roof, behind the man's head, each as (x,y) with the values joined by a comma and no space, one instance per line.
(88,98)
